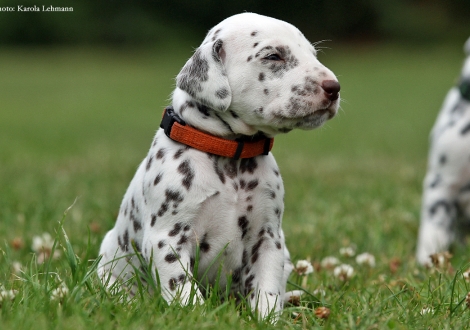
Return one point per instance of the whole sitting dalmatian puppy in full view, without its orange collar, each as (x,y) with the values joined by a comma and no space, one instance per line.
(192,214)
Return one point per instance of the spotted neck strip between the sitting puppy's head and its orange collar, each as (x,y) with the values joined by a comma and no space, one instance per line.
(226,124)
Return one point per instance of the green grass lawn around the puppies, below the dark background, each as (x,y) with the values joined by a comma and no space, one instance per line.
(75,123)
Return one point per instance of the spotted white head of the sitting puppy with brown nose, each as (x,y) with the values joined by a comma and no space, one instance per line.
(265,72)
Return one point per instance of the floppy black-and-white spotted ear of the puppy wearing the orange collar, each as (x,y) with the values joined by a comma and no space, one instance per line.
(204,77)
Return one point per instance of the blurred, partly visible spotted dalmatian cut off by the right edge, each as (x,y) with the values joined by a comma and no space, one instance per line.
(445,212)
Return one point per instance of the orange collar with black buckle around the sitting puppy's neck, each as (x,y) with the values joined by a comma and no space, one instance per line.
(176,129)
